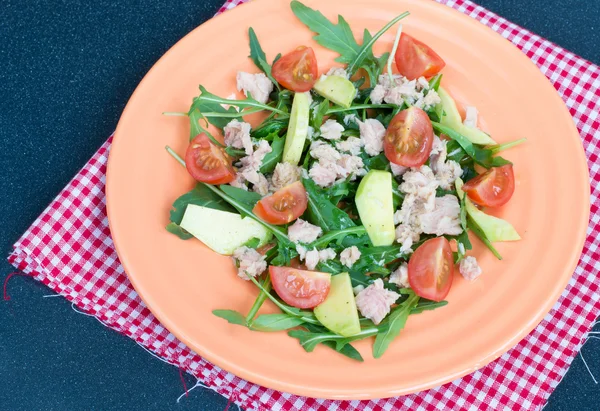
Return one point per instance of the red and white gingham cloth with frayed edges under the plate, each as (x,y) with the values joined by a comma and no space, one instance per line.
(69,249)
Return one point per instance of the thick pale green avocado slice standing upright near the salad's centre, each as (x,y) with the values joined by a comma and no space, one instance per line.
(374,201)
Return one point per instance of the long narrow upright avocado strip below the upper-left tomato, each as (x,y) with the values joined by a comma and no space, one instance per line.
(297,129)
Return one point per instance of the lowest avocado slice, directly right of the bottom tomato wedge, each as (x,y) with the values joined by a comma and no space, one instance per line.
(338,312)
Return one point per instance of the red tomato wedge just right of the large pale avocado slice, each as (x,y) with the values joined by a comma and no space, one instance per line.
(284,206)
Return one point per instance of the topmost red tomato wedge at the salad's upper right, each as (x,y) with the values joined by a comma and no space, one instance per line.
(415,59)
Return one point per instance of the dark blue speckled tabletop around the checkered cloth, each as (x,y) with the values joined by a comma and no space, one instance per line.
(67,70)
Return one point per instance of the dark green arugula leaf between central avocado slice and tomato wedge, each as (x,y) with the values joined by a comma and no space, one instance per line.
(322,212)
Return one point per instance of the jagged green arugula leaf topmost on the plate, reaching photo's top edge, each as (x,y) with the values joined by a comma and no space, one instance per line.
(336,37)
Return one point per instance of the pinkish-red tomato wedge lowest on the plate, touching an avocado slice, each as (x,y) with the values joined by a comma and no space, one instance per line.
(300,288)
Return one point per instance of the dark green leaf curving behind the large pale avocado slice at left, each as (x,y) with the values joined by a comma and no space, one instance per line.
(199,195)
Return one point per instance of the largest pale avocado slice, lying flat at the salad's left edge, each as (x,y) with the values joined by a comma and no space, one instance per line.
(222,231)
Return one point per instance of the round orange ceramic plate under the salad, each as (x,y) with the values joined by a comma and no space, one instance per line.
(183,281)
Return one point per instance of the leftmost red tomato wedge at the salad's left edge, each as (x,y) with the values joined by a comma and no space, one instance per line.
(207,162)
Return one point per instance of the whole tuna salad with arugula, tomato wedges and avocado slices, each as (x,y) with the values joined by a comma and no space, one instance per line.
(349,203)
